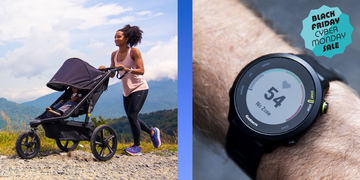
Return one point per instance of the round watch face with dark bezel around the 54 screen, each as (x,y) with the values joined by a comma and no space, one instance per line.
(274,95)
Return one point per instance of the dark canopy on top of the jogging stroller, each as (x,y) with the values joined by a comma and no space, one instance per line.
(75,73)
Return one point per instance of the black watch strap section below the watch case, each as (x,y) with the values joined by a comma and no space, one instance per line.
(245,151)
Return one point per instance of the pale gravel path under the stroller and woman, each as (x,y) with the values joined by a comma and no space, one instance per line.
(82,165)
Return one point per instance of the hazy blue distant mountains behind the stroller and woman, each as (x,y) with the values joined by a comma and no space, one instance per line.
(162,95)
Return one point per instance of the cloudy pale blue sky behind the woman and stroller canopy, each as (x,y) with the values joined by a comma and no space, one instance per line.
(37,36)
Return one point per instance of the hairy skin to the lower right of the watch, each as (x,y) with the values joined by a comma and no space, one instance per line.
(320,153)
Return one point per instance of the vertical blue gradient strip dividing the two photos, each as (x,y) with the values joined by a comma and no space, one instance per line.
(185,89)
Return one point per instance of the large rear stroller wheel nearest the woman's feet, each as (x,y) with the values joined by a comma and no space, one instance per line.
(103,142)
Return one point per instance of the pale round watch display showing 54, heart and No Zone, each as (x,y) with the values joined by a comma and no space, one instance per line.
(275,96)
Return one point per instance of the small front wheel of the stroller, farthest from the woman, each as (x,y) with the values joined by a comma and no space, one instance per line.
(27,144)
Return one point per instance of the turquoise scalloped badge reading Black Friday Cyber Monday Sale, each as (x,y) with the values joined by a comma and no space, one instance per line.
(327,31)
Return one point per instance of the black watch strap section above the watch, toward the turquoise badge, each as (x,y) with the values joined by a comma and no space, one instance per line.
(324,70)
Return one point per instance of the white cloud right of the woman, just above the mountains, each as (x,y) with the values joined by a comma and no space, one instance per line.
(161,61)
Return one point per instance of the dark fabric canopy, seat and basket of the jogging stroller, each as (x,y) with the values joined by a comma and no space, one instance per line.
(75,73)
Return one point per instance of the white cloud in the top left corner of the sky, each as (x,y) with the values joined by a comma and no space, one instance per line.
(19,16)
